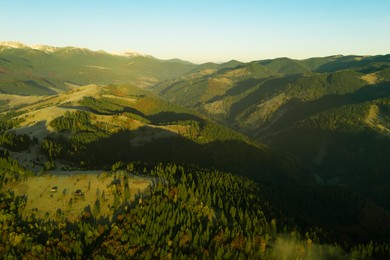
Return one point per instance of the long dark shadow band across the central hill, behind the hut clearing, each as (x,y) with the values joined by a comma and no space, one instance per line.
(154,145)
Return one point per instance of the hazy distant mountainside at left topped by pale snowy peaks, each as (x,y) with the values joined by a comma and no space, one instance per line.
(52,69)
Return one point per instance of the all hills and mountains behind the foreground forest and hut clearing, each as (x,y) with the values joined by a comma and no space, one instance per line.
(313,134)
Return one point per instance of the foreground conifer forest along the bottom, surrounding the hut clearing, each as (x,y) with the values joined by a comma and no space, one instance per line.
(187,212)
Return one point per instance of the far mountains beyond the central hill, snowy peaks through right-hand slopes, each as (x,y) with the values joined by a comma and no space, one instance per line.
(282,101)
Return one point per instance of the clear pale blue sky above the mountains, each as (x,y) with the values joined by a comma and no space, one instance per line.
(203,30)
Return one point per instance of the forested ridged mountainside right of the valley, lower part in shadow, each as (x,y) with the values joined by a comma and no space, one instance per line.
(331,113)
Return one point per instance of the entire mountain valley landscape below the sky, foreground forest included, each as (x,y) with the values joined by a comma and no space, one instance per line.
(106,155)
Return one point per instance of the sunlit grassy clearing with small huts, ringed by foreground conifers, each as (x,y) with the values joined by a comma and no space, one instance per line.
(66,202)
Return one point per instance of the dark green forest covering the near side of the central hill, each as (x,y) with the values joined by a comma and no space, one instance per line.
(212,146)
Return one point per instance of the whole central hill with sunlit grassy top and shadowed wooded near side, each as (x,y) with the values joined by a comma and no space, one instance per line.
(95,126)
